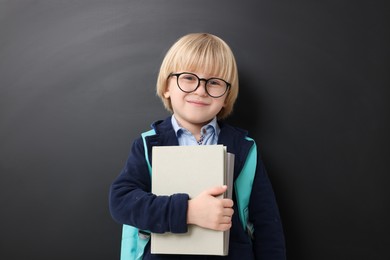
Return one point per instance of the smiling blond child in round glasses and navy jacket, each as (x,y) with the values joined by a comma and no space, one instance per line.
(198,84)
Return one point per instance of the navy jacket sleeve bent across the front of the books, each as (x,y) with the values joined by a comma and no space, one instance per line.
(131,201)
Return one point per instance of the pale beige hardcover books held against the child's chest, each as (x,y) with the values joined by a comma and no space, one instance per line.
(191,170)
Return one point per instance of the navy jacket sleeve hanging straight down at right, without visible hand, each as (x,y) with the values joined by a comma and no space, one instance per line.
(268,243)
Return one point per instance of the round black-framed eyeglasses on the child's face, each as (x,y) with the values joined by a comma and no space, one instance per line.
(189,82)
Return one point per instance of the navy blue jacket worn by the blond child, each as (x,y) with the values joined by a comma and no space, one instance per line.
(132,203)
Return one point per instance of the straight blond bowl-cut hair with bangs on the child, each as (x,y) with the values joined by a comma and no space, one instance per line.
(205,53)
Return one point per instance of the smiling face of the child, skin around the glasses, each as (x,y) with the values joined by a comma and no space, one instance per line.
(193,110)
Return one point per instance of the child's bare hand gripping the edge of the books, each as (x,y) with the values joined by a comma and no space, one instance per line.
(205,210)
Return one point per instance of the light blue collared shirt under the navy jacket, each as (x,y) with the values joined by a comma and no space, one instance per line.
(210,133)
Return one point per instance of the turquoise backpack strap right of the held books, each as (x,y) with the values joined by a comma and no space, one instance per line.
(243,187)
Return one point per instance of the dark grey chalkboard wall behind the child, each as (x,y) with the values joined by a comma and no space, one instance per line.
(77,85)
